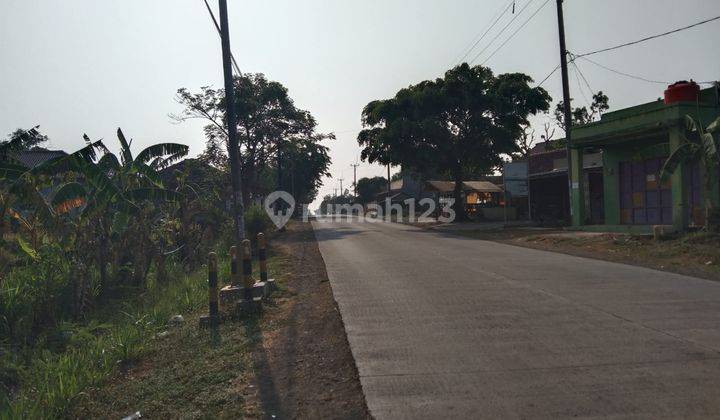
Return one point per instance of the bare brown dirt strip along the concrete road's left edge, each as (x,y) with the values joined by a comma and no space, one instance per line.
(303,364)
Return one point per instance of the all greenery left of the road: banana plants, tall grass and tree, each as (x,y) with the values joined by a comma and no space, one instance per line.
(100,251)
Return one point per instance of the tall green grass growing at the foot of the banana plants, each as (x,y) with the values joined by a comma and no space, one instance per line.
(45,376)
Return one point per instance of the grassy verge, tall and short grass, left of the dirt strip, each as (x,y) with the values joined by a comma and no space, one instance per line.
(116,364)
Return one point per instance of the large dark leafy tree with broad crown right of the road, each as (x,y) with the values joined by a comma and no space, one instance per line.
(460,124)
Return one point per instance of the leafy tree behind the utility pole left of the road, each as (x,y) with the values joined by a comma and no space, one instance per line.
(269,124)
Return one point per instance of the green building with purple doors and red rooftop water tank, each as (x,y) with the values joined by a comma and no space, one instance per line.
(634,143)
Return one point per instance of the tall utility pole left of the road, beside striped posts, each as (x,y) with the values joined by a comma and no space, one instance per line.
(233,146)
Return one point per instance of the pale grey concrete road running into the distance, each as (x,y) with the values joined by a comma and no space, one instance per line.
(447,327)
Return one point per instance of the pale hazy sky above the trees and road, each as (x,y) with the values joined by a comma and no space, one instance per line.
(89,66)
